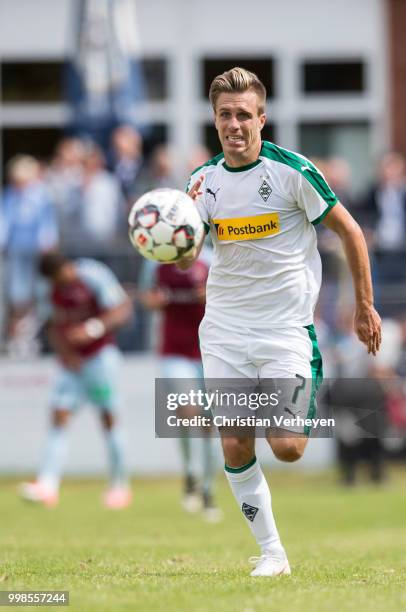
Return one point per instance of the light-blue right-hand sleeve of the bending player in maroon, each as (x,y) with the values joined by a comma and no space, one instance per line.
(101,280)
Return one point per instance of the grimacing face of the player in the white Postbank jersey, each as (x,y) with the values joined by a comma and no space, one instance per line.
(239,124)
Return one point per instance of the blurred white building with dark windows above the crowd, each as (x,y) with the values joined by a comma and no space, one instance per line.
(332,70)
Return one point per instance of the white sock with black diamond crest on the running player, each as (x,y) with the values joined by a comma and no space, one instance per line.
(254,499)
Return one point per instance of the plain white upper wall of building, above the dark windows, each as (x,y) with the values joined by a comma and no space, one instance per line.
(191,25)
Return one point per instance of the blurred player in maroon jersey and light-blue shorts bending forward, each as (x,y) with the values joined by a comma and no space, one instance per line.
(83,304)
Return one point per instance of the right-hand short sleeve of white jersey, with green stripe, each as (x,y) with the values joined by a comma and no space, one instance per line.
(314,195)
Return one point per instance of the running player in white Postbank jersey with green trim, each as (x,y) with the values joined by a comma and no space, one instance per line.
(261,203)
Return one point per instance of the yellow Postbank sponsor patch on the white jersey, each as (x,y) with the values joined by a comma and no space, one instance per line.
(247,228)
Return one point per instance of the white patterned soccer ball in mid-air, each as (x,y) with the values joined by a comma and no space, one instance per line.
(165,225)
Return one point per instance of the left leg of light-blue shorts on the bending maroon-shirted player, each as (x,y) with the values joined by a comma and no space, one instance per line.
(67,392)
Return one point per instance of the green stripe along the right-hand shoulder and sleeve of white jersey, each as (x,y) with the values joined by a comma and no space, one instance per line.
(305,167)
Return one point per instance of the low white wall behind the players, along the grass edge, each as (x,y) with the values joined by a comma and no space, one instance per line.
(24,391)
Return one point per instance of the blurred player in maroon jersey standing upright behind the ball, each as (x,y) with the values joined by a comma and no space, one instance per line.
(180,296)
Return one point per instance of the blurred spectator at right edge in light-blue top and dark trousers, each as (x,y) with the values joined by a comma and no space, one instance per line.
(384,212)
